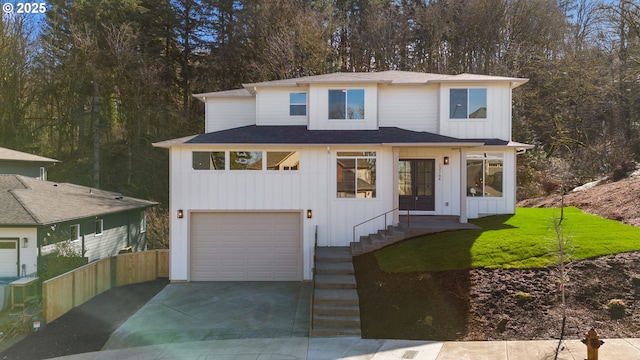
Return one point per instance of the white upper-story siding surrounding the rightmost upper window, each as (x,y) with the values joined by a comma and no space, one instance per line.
(497,125)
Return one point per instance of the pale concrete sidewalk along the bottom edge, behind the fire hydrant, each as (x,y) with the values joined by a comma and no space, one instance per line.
(360,349)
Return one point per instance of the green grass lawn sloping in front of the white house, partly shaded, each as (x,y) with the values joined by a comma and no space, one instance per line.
(524,240)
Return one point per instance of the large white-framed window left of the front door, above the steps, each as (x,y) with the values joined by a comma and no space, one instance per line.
(356,174)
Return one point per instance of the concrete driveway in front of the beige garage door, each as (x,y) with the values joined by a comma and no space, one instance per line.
(201,311)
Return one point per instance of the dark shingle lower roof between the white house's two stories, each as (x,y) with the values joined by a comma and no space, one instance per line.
(253,134)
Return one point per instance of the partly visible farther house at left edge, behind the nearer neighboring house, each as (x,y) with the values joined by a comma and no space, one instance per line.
(17,162)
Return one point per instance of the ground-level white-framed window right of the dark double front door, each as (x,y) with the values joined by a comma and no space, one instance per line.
(484,174)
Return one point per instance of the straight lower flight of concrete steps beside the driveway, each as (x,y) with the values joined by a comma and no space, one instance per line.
(336,307)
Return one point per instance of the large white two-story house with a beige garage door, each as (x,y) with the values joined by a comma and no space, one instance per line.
(284,165)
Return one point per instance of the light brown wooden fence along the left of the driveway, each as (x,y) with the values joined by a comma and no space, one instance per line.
(74,288)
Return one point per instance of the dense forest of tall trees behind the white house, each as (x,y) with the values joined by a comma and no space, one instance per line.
(94,82)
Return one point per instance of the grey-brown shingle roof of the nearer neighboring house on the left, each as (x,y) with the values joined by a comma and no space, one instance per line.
(29,201)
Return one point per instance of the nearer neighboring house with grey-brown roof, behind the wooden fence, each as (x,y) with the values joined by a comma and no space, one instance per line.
(39,215)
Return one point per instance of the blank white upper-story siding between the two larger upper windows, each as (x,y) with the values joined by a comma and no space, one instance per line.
(409,107)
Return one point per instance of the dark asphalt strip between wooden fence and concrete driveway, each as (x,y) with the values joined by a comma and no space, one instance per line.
(86,328)
